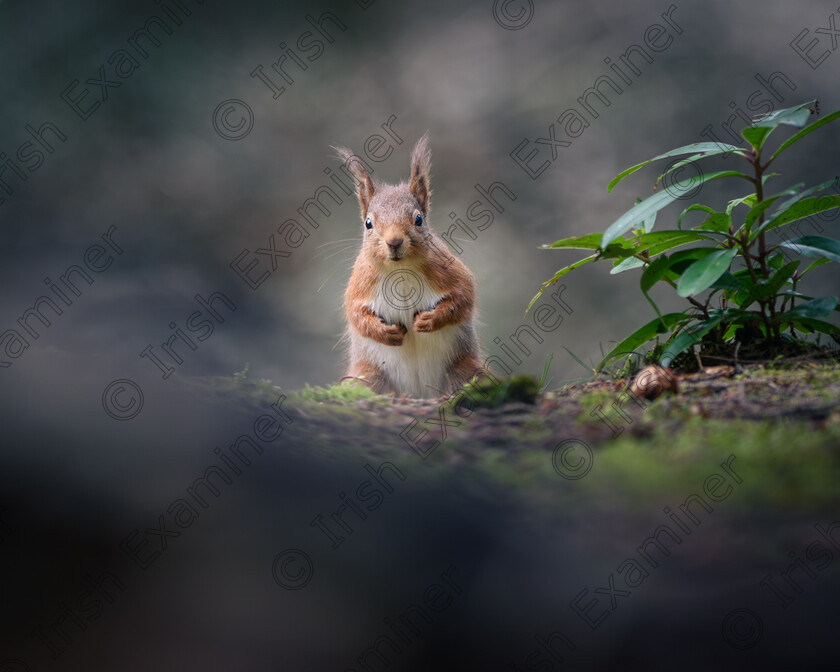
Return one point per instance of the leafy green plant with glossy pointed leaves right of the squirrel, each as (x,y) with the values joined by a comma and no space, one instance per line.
(728,259)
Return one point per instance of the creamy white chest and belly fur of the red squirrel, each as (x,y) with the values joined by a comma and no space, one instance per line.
(418,366)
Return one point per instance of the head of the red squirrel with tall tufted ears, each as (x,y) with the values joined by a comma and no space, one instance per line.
(394,217)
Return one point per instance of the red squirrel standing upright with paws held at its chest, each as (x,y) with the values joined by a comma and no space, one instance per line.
(410,303)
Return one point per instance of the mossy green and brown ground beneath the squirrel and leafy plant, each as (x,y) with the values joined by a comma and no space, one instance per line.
(781,422)
